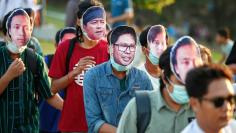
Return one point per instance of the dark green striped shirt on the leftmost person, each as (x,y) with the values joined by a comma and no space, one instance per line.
(18,104)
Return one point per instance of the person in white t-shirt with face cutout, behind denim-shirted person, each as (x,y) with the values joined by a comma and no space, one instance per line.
(154,41)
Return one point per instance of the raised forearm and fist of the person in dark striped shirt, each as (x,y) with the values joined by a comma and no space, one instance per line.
(16,68)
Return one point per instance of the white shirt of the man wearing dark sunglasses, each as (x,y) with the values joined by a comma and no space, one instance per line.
(194,128)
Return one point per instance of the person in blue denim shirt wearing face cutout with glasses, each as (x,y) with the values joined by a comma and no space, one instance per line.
(109,86)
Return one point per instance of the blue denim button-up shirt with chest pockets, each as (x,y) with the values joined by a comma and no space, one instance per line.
(103,98)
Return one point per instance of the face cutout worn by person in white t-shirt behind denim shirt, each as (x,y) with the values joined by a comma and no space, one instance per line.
(156,41)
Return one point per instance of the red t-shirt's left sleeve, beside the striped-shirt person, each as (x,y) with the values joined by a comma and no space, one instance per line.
(58,65)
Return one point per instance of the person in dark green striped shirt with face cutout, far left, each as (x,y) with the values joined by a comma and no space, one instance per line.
(18,89)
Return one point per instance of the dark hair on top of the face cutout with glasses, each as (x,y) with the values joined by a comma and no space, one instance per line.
(114,34)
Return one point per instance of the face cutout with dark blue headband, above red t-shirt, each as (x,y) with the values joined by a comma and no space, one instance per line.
(93,23)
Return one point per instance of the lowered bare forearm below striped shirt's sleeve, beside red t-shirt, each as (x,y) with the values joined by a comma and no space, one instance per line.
(56,101)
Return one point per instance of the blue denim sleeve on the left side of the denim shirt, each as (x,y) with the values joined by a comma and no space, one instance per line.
(93,109)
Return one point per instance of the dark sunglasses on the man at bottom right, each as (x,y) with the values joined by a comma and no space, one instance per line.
(219,101)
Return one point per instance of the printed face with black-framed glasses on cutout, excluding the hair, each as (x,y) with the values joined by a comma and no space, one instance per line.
(124,49)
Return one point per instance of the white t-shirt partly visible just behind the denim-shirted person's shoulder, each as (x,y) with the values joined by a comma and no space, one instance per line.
(155,81)
